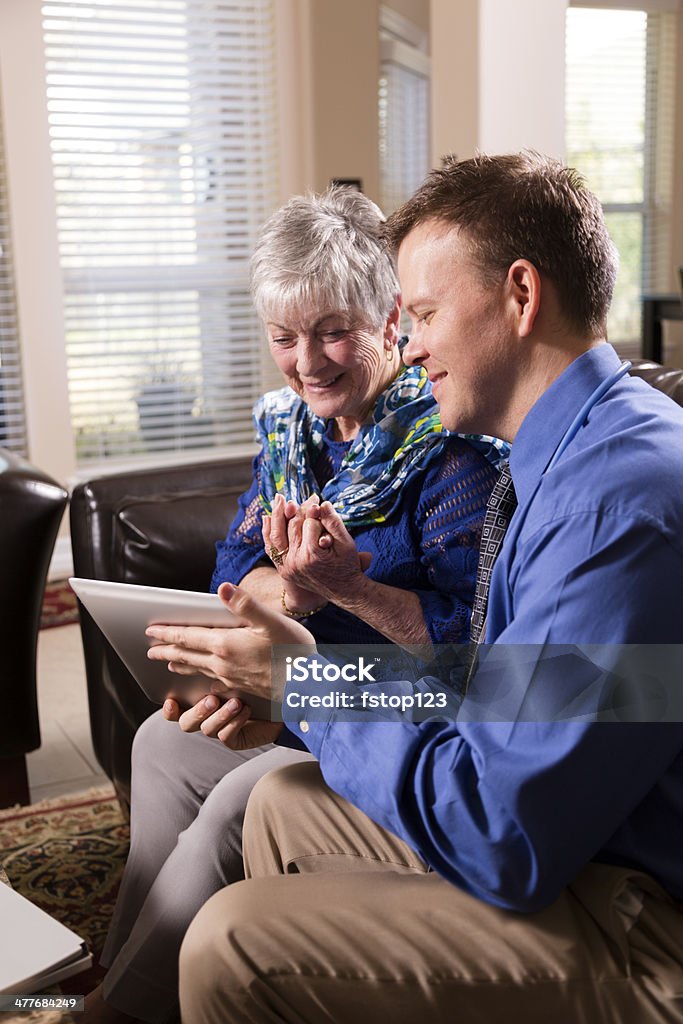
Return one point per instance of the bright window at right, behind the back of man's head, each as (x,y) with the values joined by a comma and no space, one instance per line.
(620,130)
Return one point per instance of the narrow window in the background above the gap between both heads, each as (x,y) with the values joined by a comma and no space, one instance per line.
(404,110)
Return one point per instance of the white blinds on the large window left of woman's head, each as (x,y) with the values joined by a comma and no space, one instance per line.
(162,129)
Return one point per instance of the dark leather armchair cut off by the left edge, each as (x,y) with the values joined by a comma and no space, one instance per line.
(31,508)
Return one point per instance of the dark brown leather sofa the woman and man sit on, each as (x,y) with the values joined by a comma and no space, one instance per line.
(159,528)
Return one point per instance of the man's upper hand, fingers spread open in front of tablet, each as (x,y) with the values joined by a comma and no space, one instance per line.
(238,657)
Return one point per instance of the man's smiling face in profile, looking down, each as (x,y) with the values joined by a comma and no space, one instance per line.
(461,329)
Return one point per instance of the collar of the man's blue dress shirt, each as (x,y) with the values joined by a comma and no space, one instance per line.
(545,425)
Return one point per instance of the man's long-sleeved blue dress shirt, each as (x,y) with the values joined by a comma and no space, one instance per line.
(511,810)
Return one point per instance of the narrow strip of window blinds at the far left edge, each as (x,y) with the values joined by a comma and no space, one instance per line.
(13,429)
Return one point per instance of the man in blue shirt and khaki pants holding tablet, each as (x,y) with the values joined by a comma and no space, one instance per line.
(487,871)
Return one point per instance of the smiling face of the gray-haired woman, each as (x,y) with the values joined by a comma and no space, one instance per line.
(336,363)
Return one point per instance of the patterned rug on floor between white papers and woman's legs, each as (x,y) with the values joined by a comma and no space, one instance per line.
(67,856)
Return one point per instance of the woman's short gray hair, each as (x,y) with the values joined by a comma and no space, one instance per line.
(325,252)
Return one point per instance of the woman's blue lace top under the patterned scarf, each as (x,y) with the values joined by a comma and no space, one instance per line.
(430,545)
